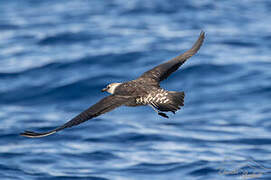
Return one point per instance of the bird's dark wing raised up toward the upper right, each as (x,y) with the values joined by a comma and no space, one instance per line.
(162,71)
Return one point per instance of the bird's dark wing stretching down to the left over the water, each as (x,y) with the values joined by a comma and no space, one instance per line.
(105,105)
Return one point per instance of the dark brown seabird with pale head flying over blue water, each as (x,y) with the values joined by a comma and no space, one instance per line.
(143,91)
